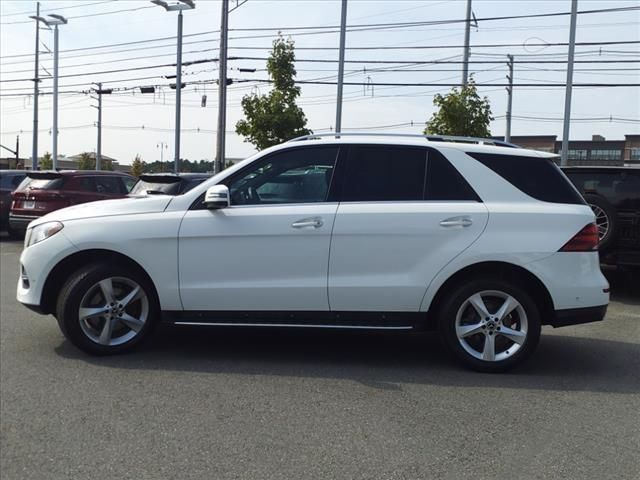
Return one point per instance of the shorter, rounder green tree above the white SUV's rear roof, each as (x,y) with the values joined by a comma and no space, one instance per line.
(461,112)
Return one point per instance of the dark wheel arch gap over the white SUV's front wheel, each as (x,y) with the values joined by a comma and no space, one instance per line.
(60,273)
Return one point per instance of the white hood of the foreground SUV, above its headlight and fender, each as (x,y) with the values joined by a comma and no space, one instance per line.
(106,208)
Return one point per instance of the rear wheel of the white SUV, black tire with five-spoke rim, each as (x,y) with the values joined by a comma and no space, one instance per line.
(458,321)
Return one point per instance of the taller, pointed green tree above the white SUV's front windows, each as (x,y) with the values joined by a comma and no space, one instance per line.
(274,118)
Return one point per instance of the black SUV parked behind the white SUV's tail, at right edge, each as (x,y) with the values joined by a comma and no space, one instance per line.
(614,195)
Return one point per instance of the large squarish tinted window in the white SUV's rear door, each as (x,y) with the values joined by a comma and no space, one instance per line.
(383,173)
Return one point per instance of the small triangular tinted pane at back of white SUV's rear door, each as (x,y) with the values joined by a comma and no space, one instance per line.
(444,182)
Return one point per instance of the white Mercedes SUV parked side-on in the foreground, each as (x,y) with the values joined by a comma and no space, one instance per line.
(484,243)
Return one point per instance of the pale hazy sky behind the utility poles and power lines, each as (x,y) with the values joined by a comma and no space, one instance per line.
(124,43)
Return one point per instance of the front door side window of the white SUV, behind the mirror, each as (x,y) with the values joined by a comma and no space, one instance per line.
(300,175)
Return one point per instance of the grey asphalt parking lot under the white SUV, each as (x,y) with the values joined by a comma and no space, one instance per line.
(238,404)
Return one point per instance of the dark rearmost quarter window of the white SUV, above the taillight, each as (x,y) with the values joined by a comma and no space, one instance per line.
(538,177)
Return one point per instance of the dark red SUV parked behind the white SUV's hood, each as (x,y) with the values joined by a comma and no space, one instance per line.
(46,191)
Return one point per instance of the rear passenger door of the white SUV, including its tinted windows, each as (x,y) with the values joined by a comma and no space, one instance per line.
(404,213)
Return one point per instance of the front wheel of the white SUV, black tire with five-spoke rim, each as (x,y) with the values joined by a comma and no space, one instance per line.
(114,326)
